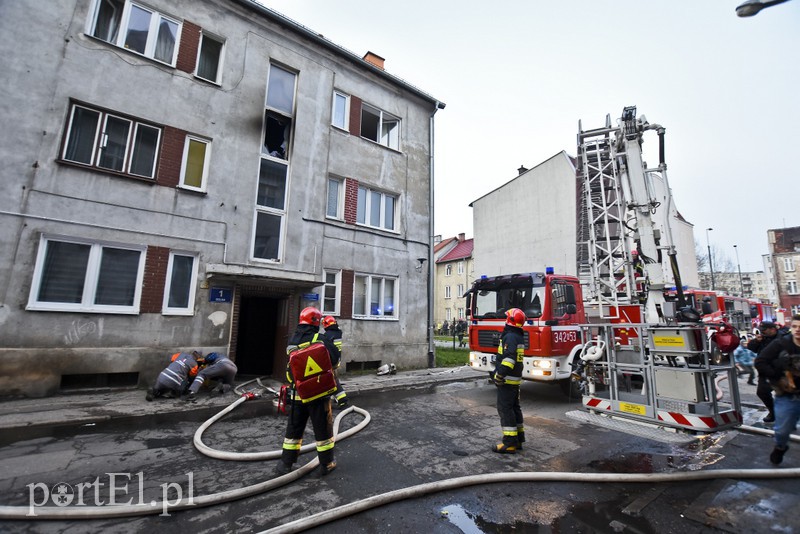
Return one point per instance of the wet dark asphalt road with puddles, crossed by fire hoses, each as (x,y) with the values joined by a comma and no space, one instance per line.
(415,436)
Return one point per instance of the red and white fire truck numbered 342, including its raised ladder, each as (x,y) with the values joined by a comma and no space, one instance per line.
(613,332)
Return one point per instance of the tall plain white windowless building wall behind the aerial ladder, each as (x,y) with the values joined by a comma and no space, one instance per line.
(530,223)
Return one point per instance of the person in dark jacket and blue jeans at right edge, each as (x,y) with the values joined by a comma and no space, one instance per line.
(779,363)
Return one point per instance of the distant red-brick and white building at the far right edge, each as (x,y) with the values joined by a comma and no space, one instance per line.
(784,260)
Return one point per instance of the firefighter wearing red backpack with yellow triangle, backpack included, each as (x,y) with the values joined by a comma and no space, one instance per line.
(312,358)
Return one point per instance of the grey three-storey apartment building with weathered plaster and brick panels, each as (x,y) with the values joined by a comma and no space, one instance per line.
(189,174)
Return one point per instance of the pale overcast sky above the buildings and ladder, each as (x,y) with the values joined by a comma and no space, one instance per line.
(517,75)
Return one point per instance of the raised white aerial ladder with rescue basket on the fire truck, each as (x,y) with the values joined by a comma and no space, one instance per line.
(644,357)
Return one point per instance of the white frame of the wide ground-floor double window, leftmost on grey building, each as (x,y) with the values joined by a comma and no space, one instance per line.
(91,278)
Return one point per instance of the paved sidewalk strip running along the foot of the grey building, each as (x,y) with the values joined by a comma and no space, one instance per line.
(103,405)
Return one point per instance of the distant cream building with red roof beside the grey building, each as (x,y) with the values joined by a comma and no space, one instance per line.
(454,275)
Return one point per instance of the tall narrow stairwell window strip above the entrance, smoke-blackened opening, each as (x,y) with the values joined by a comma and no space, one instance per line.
(273,174)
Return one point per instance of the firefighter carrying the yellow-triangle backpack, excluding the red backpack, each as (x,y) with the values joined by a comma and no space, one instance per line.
(318,409)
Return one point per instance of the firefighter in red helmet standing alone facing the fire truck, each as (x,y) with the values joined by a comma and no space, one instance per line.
(507,376)
